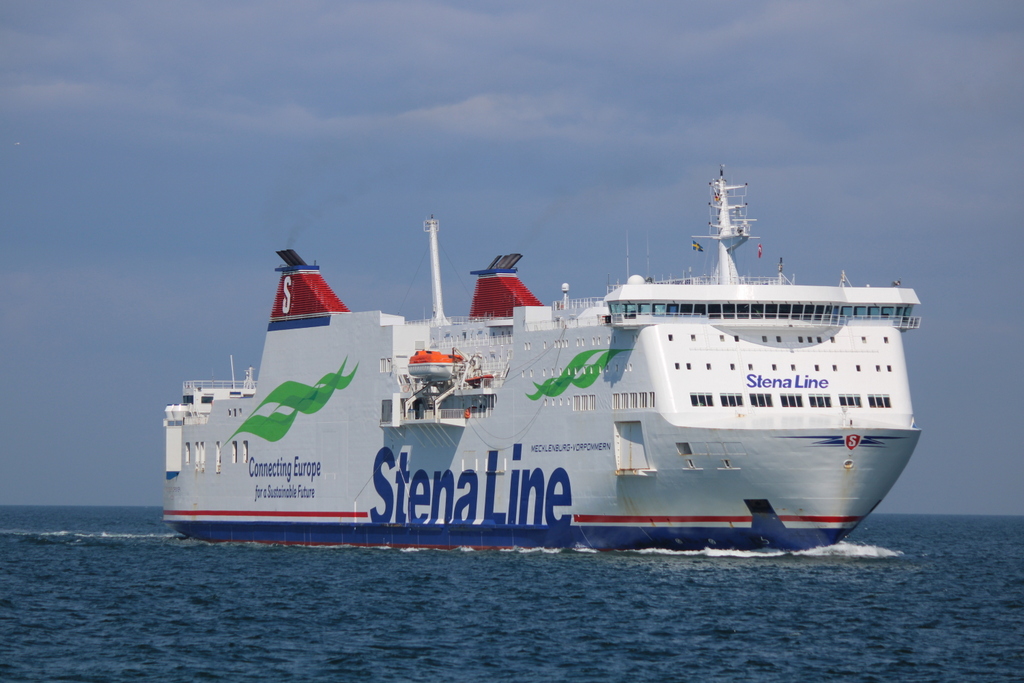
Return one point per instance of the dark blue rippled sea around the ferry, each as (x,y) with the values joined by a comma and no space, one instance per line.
(111,594)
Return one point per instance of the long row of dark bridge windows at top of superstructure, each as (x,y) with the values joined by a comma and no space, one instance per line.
(795,312)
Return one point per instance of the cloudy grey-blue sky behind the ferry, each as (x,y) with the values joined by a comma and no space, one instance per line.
(154,157)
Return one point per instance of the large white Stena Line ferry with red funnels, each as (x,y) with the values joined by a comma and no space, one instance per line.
(720,412)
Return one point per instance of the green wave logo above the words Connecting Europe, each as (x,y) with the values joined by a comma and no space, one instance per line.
(291,399)
